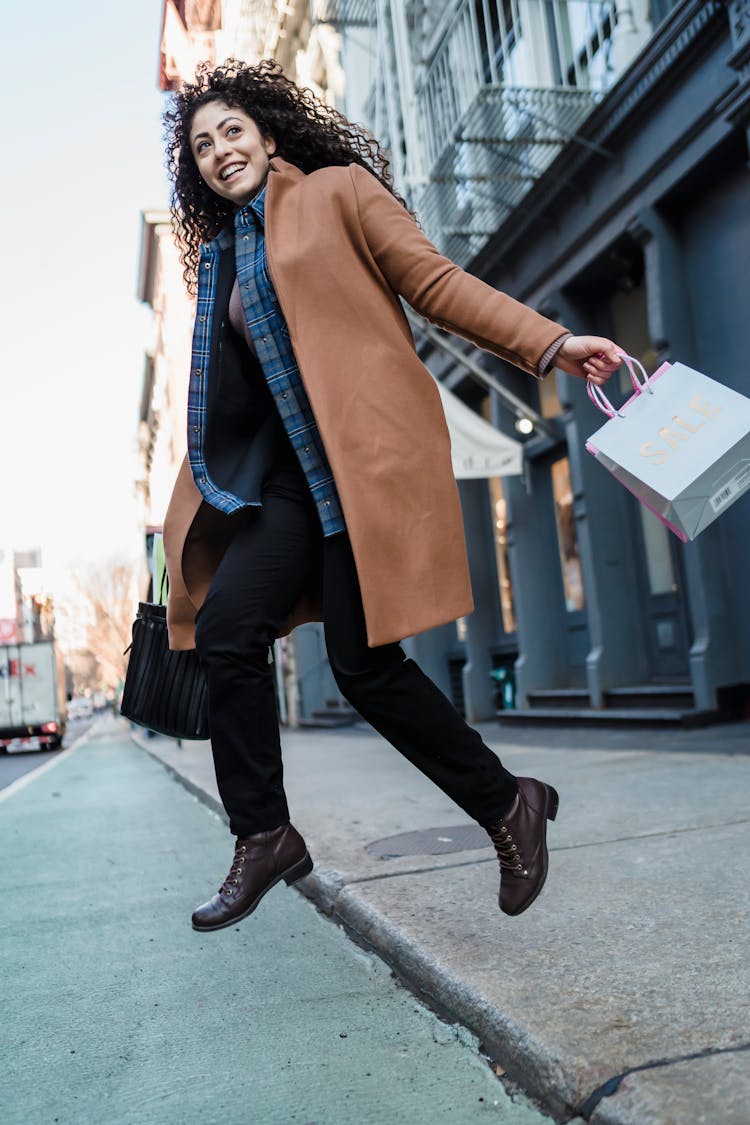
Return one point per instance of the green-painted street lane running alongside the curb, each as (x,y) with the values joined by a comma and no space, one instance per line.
(116,1012)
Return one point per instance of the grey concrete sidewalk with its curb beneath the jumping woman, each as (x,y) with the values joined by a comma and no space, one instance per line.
(624,994)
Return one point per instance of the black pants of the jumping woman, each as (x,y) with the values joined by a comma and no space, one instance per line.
(263,573)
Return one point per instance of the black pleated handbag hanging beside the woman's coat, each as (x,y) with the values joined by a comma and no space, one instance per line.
(165,691)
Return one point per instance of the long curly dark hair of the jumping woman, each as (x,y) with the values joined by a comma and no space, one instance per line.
(308,133)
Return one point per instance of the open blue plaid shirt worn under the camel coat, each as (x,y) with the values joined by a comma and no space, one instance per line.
(270,336)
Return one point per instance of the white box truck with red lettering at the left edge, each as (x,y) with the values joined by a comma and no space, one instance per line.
(32,698)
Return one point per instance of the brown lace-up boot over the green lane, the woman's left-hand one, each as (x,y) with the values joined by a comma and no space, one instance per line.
(260,862)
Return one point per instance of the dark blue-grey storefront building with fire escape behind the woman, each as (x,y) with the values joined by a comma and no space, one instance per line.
(612,194)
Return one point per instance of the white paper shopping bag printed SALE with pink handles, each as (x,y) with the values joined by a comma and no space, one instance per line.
(681,444)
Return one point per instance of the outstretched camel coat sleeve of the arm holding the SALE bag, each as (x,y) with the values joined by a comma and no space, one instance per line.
(444,293)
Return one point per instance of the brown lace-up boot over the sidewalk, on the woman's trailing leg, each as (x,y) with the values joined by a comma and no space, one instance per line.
(520,840)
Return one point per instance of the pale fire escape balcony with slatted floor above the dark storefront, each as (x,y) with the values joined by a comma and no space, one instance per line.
(509,85)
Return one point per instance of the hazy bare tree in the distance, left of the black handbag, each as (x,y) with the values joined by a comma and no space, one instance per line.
(100,615)
